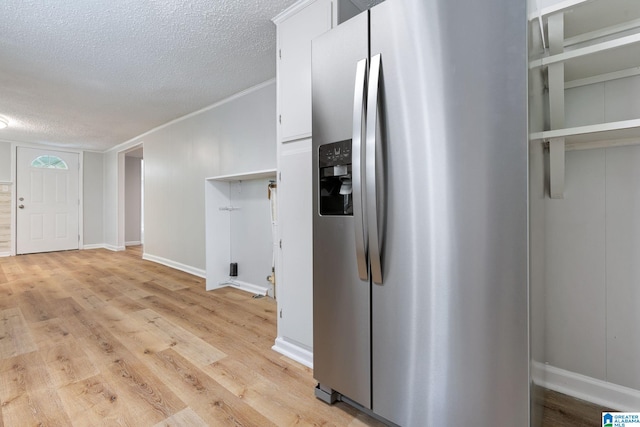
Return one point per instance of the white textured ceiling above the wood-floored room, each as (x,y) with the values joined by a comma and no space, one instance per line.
(94,73)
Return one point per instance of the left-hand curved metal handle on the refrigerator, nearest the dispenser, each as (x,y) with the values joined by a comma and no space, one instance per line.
(358,173)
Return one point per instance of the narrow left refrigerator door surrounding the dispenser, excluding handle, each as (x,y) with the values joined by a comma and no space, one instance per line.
(341,300)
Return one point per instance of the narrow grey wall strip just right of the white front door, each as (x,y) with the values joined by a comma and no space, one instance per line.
(93,185)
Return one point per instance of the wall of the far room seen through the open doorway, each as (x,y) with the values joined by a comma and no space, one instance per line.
(133,202)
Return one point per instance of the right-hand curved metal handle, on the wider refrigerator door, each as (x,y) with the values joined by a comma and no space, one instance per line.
(372,150)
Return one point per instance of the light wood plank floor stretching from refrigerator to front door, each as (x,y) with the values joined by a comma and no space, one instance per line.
(96,337)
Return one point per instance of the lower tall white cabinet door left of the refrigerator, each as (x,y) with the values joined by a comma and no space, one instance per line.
(295,225)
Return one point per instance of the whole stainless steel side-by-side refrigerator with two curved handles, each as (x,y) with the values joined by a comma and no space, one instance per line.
(420,213)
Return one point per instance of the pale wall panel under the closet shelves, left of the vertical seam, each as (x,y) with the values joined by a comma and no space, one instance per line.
(575,265)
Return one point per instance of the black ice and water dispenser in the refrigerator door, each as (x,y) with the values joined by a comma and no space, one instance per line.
(335,178)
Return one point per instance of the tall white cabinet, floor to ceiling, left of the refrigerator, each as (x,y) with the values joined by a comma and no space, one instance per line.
(296,27)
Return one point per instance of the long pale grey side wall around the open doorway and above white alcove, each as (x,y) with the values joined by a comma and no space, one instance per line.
(231,137)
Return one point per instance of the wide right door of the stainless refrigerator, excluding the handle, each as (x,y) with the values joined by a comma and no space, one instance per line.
(450,335)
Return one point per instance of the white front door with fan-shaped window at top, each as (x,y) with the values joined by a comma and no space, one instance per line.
(48,200)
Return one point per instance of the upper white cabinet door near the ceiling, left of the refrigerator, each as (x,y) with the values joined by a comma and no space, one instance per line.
(294,67)
